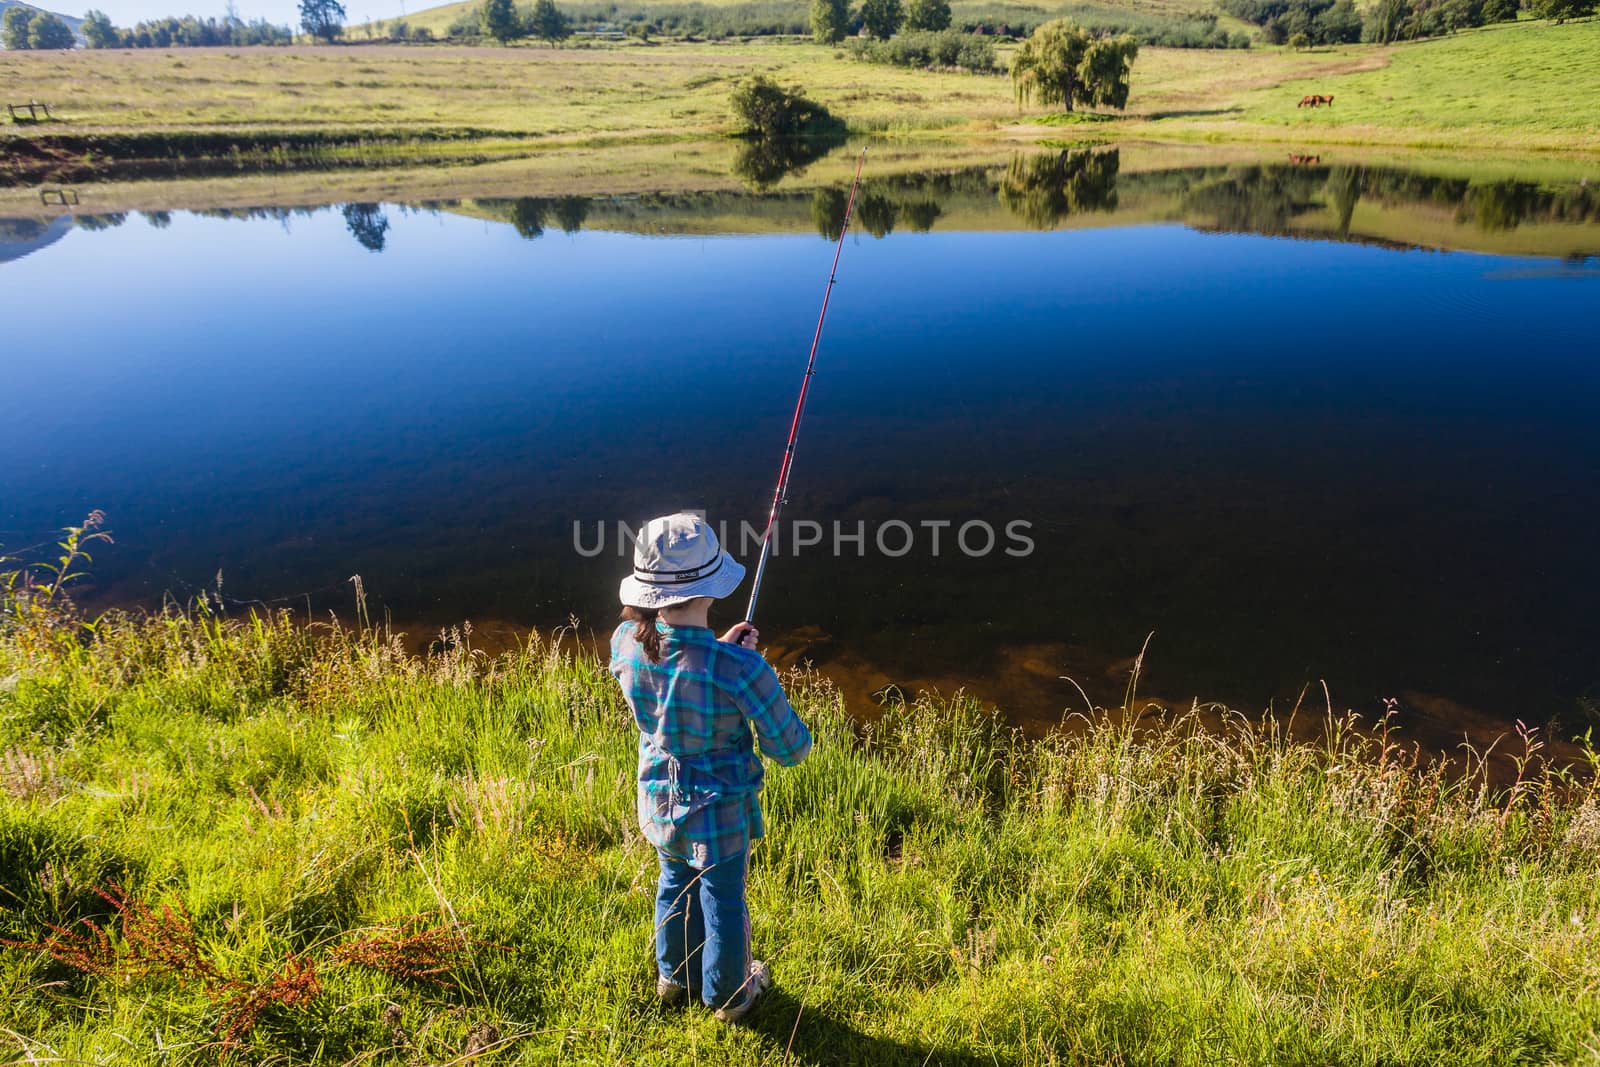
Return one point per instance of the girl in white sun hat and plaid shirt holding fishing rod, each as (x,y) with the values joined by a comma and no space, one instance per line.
(695,698)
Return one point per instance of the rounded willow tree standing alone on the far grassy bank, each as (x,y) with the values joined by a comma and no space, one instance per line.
(1065,65)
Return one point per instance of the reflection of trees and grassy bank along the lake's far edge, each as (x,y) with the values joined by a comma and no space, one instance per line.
(1382,206)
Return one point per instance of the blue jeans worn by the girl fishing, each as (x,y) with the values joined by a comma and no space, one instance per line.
(703,929)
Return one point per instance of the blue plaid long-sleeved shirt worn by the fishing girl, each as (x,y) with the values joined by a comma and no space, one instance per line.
(698,775)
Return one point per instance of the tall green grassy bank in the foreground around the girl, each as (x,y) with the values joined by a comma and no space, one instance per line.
(330,852)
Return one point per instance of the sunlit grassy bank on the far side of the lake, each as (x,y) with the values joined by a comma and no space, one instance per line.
(1502,89)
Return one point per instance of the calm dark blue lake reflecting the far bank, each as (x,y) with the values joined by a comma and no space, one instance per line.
(1302,422)
